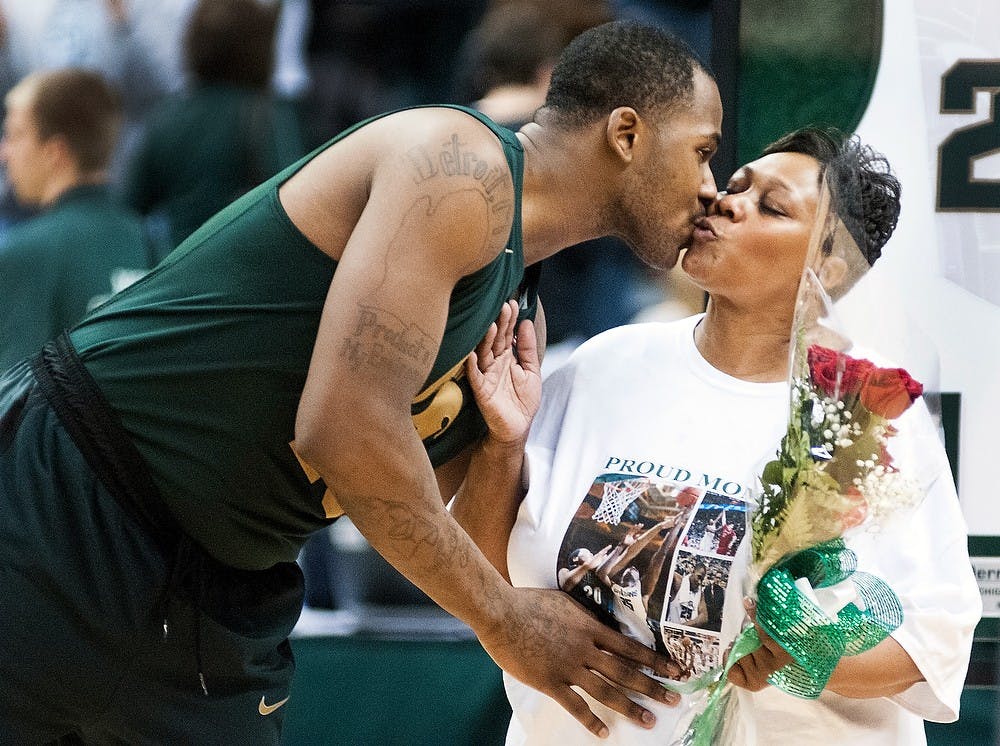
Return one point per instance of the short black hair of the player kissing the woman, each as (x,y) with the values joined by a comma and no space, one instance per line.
(622,63)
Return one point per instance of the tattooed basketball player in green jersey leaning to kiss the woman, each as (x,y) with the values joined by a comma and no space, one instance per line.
(301,356)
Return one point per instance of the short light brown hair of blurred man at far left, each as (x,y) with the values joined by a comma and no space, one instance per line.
(79,106)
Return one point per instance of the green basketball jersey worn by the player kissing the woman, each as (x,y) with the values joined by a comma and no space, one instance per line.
(204,361)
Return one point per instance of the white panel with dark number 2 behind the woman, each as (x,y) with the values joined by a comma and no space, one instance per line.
(935,294)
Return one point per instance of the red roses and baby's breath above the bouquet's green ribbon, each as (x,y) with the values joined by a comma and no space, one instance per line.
(834,470)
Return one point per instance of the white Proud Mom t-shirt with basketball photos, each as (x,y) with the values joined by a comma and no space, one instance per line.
(638,428)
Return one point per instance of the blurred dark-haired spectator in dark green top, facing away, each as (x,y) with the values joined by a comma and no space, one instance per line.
(224,134)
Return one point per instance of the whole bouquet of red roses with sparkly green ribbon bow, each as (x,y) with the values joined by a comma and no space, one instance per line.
(833,472)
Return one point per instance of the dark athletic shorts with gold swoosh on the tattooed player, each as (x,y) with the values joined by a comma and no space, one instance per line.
(115,627)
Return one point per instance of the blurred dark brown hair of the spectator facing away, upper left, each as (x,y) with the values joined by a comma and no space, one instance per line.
(232,41)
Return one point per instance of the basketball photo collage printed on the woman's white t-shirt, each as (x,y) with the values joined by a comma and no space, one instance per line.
(652,558)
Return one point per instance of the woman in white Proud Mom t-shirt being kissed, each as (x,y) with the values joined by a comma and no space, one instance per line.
(676,419)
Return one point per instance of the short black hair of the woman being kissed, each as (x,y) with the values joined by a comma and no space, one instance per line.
(865,193)
